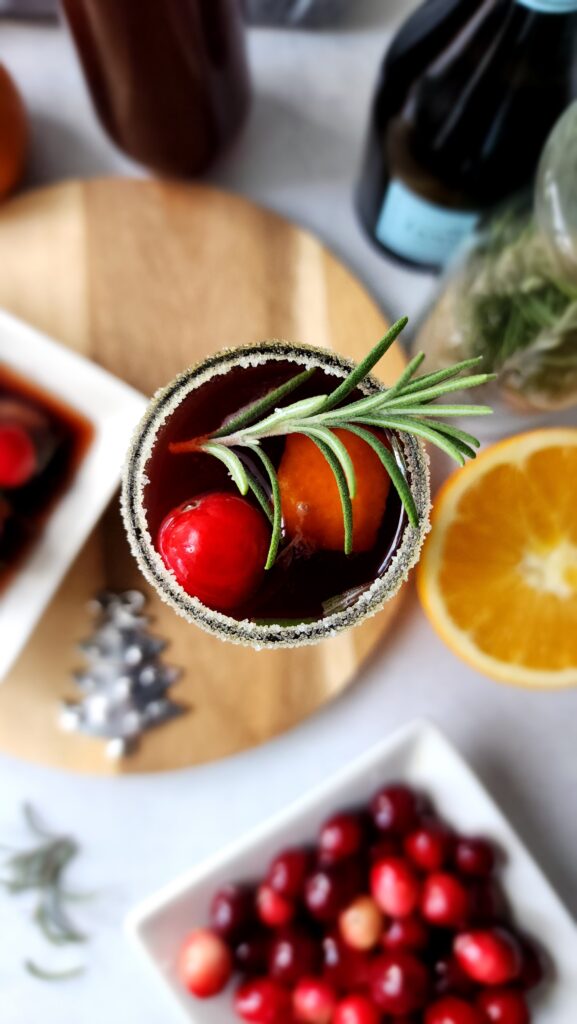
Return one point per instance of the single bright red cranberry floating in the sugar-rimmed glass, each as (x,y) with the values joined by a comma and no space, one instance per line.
(217,547)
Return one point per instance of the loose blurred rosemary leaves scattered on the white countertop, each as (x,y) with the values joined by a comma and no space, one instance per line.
(42,869)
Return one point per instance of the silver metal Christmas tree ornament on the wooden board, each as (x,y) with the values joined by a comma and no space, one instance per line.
(125,688)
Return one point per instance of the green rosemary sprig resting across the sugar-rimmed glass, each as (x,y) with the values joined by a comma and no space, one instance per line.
(404,408)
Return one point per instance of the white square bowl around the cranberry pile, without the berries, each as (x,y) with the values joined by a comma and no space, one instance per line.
(422,756)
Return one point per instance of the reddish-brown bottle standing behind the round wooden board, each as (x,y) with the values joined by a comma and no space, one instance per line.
(170,79)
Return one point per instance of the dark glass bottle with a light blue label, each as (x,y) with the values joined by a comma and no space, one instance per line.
(468,96)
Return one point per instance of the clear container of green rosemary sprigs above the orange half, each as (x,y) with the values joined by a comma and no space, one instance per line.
(514,298)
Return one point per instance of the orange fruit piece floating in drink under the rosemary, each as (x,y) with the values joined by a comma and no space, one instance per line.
(311,502)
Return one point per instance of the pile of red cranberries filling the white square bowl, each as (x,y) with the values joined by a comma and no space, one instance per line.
(392,919)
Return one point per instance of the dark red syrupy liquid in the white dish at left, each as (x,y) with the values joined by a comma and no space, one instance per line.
(62,439)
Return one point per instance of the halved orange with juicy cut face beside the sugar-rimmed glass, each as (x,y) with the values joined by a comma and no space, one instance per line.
(499,574)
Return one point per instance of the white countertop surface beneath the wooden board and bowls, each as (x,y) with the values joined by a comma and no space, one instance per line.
(299,156)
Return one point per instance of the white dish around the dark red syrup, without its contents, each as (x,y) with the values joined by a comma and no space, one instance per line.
(113,409)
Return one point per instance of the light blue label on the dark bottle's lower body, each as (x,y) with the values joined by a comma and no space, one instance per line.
(420,231)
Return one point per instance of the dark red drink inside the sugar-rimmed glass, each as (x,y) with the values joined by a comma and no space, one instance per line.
(298,587)
